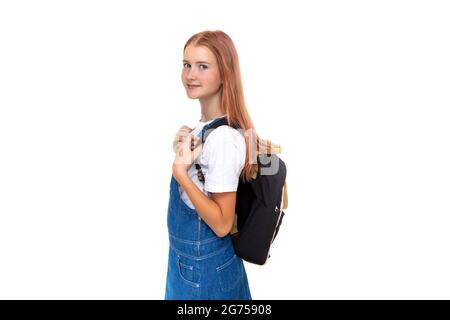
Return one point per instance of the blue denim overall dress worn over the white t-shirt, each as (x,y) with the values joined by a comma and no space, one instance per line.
(201,265)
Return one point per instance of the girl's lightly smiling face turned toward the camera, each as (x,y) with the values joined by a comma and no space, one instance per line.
(200,75)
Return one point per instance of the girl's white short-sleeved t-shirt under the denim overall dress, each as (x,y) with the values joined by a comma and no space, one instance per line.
(222,160)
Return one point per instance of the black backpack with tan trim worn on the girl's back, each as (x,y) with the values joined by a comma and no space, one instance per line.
(259,207)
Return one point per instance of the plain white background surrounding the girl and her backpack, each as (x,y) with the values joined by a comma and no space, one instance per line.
(356,92)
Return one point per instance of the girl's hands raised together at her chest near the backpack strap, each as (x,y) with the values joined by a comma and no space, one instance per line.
(184,155)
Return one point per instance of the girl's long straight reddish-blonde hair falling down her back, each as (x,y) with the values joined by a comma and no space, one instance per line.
(232,101)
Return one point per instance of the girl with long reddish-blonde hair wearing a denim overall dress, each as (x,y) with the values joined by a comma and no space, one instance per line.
(202,262)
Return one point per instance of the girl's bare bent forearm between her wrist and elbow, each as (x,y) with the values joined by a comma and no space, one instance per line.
(207,209)
